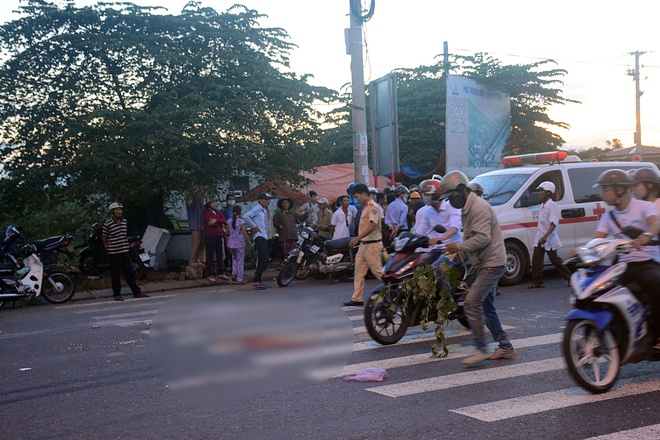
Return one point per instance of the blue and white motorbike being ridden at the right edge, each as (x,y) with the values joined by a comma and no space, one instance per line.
(608,326)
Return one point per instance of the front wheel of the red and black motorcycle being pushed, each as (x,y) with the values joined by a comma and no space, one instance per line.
(385,321)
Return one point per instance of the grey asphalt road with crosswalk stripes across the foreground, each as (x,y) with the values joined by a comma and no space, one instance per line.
(95,370)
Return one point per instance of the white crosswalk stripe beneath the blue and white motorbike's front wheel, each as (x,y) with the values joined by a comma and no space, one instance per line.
(537,403)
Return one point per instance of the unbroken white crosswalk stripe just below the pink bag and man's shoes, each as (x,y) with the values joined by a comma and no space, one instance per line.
(468,378)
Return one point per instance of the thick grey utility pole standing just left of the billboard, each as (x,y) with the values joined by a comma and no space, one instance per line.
(359,114)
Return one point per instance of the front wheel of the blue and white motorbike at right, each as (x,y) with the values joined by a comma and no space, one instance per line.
(593,359)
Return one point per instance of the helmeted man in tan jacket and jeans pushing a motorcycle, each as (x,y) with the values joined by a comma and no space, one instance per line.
(482,240)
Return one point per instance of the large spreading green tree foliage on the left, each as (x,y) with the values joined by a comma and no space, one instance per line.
(114,101)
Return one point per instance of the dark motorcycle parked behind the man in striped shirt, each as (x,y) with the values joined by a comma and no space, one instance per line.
(93,258)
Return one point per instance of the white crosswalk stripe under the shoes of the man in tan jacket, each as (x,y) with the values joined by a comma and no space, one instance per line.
(455,352)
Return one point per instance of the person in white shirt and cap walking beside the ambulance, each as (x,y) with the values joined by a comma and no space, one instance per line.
(547,239)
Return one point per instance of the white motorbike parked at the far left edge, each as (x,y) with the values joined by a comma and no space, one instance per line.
(27,279)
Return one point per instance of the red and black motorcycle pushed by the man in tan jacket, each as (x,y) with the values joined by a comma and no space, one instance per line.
(385,320)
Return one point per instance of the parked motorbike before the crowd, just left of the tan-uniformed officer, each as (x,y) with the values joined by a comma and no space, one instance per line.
(320,256)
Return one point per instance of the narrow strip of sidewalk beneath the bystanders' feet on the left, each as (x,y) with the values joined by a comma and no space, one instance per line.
(175,284)
